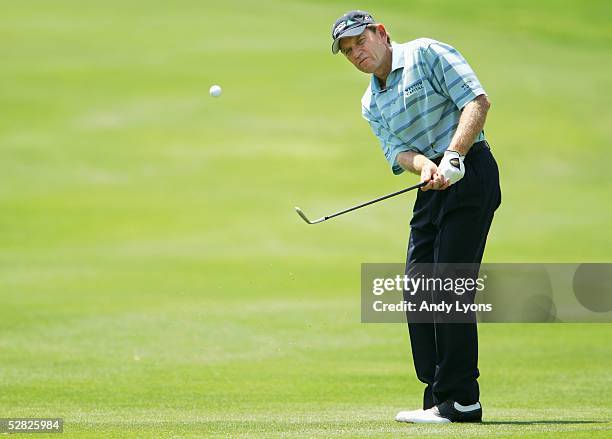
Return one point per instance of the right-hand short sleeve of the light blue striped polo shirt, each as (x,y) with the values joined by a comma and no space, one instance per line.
(451,75)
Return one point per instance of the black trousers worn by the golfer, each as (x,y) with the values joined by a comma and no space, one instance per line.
(451,226)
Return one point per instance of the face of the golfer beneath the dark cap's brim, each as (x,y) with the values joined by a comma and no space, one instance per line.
(365,51)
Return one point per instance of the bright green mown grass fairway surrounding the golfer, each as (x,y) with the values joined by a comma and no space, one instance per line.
(154,278)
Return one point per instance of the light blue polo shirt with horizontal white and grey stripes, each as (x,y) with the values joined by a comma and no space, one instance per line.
(419,109)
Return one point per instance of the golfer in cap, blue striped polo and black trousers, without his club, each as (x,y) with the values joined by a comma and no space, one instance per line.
(427,108)
